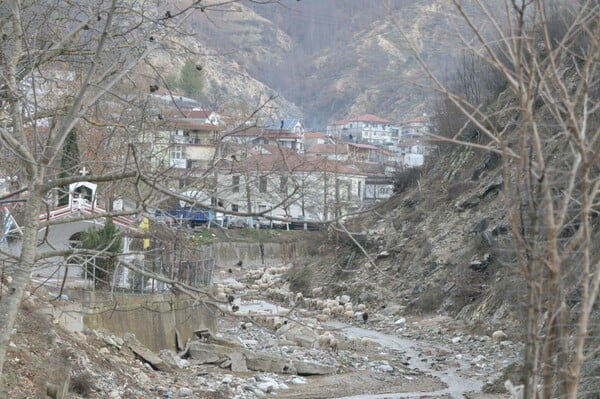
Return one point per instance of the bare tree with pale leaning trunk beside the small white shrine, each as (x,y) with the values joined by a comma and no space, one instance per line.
(87,65)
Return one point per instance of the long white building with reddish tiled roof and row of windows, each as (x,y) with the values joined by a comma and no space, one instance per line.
(284,183)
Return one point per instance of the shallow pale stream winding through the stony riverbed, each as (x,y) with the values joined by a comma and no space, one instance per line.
(456,385)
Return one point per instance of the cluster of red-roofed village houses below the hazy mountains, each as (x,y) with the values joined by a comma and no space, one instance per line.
(284,171)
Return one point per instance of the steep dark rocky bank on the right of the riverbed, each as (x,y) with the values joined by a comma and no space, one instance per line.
(441,244)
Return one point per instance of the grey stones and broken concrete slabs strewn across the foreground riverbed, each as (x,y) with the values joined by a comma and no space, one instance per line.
(280,355)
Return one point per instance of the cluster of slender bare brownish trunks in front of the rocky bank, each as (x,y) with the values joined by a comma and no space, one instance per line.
(545,125)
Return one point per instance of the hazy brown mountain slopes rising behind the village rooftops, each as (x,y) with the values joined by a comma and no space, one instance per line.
(324,60)
